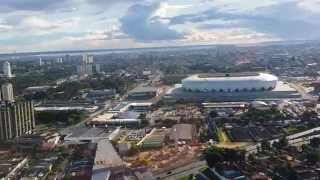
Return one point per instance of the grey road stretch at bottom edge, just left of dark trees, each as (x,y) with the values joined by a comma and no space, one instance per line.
(174,174)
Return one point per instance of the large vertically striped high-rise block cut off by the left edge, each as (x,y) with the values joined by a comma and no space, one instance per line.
(16,119)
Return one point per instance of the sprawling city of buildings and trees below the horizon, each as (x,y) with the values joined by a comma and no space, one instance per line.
(182,113)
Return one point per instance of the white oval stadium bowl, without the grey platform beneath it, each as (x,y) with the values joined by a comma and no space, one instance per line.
(233,82)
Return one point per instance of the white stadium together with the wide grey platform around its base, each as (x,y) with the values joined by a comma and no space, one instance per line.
(231,87)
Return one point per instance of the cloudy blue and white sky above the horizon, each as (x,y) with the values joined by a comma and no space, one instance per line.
(50,25)
